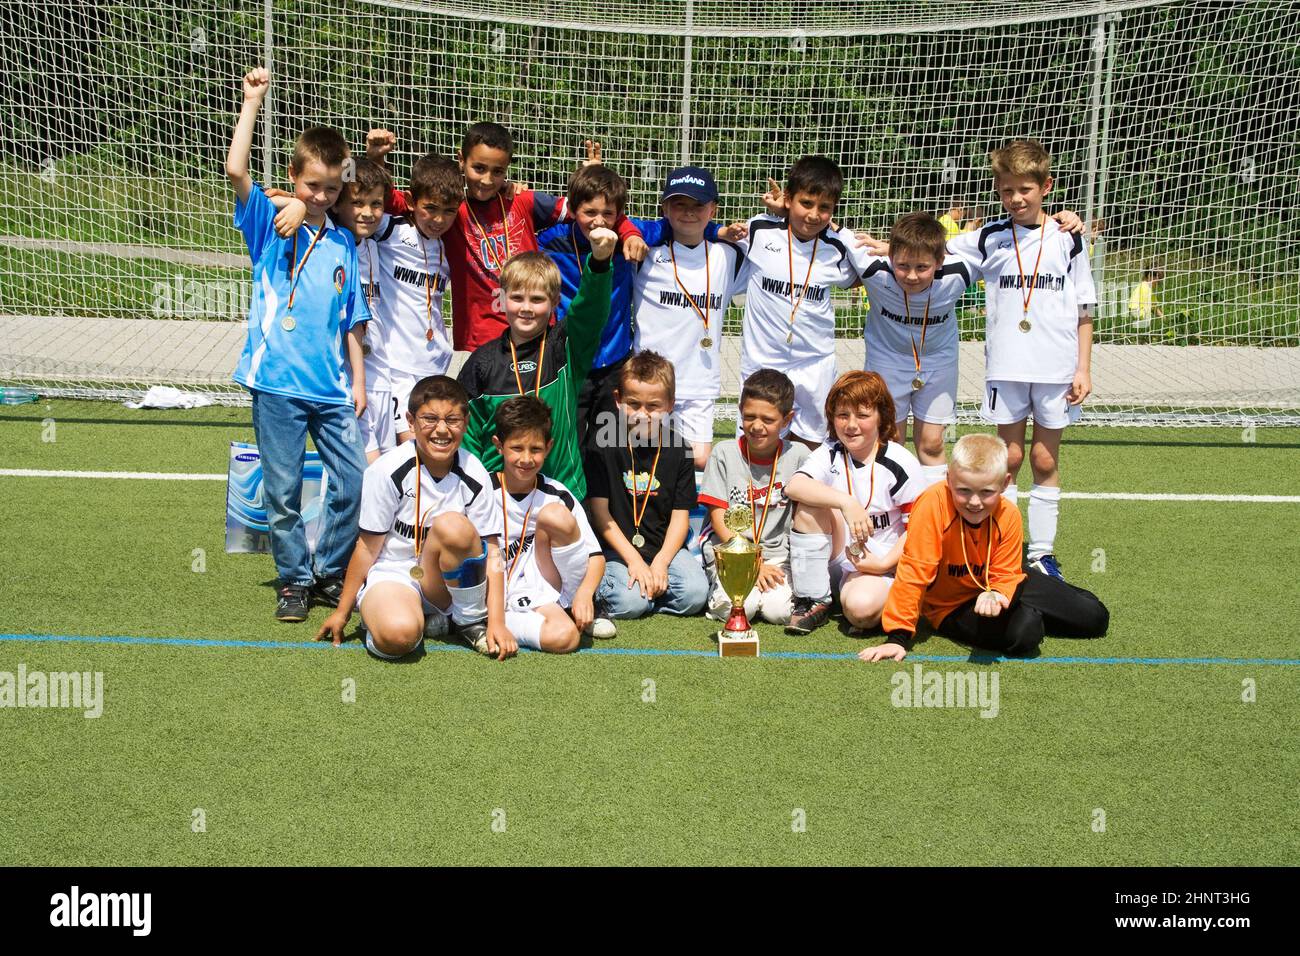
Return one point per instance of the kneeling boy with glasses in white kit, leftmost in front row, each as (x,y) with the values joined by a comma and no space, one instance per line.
(428,551)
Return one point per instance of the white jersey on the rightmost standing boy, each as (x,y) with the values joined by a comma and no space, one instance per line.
(1050,352)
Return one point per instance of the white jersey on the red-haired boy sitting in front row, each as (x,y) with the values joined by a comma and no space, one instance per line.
(887,490)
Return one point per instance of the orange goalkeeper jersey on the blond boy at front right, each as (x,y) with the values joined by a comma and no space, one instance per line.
(933,579)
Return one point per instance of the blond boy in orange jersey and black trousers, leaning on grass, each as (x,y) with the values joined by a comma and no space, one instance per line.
(961,569)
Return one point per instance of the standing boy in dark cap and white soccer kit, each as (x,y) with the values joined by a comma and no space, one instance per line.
(682,292)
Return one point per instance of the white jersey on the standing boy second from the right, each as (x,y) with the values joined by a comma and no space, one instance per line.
(895,325)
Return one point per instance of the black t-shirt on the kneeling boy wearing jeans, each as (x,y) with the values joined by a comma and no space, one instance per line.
(609,475)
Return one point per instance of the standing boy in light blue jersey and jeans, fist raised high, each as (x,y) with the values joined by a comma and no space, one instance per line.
(305,335)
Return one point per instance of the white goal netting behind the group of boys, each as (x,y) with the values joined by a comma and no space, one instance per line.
(1173,126)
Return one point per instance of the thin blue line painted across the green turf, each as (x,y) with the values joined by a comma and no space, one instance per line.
(655,652)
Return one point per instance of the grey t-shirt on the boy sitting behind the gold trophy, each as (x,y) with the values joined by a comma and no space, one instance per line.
(731,481)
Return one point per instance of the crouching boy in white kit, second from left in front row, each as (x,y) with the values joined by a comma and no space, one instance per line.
(553,560)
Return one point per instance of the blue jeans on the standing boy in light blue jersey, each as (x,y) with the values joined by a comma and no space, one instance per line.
(283,426)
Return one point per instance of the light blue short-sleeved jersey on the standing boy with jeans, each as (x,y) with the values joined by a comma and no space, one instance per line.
(310,360)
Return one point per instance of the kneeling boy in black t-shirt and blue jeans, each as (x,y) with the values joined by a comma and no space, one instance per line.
(642,487)
